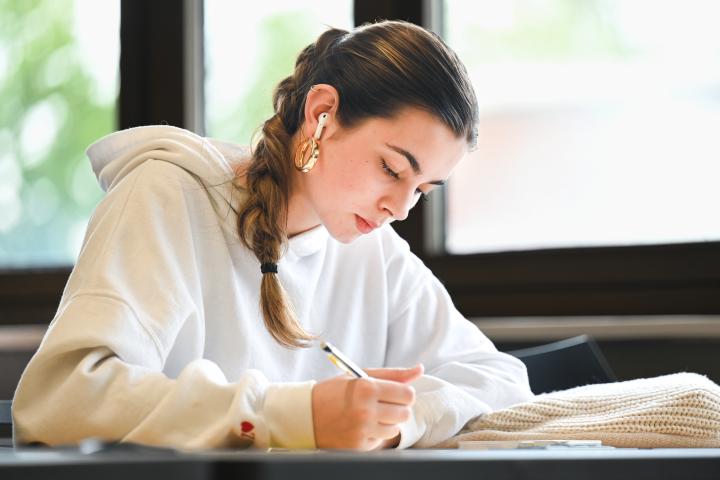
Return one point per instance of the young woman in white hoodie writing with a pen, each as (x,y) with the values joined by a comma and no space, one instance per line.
(208,273)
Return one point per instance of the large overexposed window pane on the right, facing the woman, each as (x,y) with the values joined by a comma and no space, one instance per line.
(598,127)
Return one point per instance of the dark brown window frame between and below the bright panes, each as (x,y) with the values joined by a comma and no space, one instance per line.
(632,280)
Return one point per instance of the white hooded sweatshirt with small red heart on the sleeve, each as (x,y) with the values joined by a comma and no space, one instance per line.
(159,338)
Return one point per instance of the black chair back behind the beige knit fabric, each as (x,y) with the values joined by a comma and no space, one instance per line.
(569,363)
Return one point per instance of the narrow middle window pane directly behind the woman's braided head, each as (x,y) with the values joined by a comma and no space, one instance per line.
(249,49)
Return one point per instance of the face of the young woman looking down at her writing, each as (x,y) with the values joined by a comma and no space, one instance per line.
(376,172)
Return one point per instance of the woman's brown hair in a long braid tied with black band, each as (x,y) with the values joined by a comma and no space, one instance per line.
(377,70)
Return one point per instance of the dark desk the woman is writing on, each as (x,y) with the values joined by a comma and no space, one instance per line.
(385,465)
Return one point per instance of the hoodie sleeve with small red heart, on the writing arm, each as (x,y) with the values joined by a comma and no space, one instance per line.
(99,370)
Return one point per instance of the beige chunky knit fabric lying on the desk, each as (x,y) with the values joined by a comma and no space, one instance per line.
(670,411)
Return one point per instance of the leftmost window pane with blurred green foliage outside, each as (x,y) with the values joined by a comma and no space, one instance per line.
(58,85)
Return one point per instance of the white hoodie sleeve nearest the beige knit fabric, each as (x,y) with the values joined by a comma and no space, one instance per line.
(466,375)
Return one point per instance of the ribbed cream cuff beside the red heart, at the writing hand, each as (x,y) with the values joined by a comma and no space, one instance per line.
(288,412)
